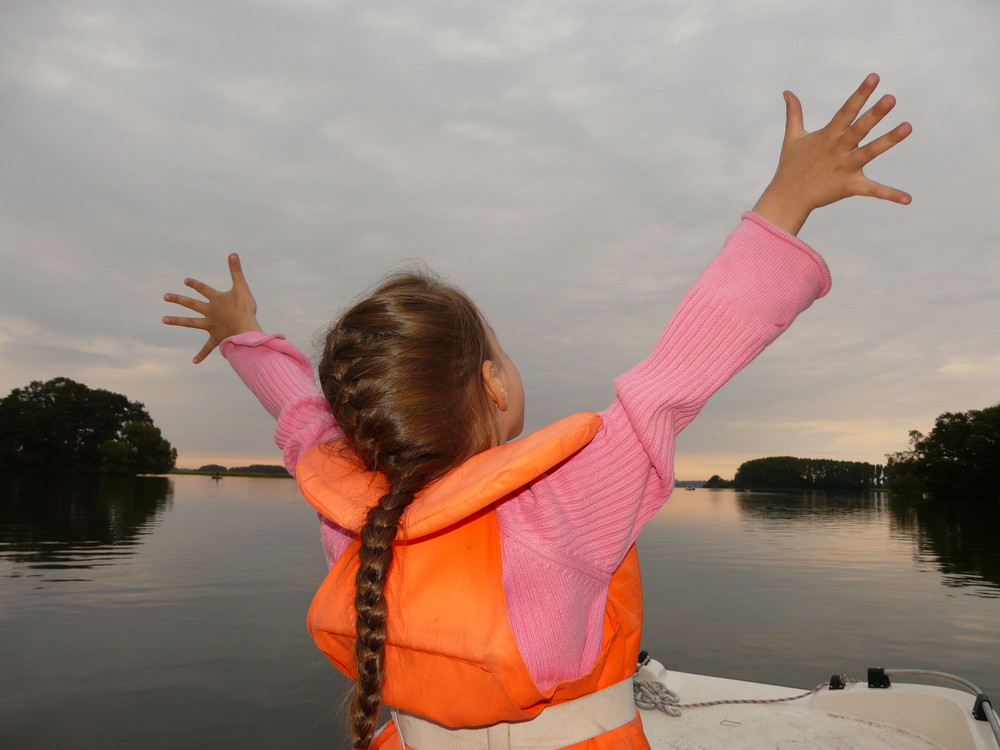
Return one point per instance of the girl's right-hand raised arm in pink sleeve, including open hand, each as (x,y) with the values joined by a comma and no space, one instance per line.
(744,300)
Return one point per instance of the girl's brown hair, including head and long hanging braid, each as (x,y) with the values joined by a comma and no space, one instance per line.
(402,370)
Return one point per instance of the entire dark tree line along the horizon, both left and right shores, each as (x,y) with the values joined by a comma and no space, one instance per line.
(61,426)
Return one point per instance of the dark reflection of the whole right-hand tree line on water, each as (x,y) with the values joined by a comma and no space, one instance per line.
(958,537)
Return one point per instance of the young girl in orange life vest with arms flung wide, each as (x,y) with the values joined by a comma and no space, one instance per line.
(489,590)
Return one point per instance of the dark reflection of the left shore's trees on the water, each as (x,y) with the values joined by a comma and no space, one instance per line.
(70,522)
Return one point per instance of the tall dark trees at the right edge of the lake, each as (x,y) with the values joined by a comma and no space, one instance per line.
(960,457)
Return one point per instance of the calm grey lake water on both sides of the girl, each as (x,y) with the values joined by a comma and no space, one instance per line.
(169,613)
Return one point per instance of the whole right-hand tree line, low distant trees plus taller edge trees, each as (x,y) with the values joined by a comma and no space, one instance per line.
(959,457)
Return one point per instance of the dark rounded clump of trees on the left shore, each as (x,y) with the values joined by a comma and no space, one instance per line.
(63,426)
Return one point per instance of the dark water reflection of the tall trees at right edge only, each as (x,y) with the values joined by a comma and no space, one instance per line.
(960,536)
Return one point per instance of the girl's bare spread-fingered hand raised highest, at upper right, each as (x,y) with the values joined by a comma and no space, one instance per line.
(825,166)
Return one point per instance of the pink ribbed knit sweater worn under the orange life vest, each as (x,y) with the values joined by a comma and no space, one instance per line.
(563,536)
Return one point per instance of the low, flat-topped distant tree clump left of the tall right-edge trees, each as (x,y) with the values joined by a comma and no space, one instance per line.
(787,472)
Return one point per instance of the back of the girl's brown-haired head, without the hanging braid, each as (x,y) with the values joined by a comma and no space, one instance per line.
(402,370)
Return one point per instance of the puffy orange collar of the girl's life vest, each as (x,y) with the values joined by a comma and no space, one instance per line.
(334,482)
